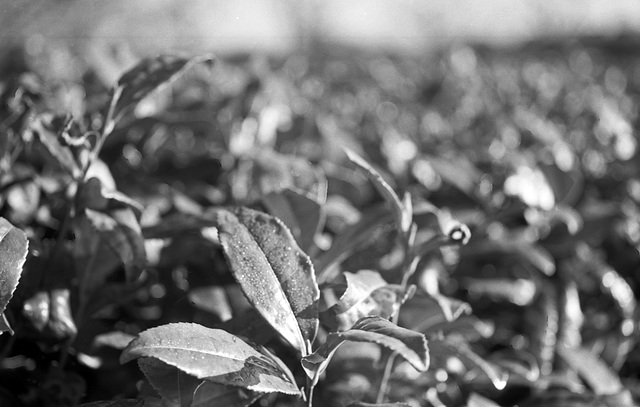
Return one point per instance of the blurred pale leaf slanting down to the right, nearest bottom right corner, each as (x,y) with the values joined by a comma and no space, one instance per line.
(600,377)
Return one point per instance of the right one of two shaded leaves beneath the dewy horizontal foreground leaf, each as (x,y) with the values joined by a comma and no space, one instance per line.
(213,394)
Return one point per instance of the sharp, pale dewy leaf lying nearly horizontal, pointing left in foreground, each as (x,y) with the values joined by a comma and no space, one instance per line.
(211,354)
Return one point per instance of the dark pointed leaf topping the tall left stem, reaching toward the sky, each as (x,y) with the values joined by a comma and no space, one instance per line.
(149,75)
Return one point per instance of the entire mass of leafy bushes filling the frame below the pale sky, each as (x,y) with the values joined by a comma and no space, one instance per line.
(218,223)
